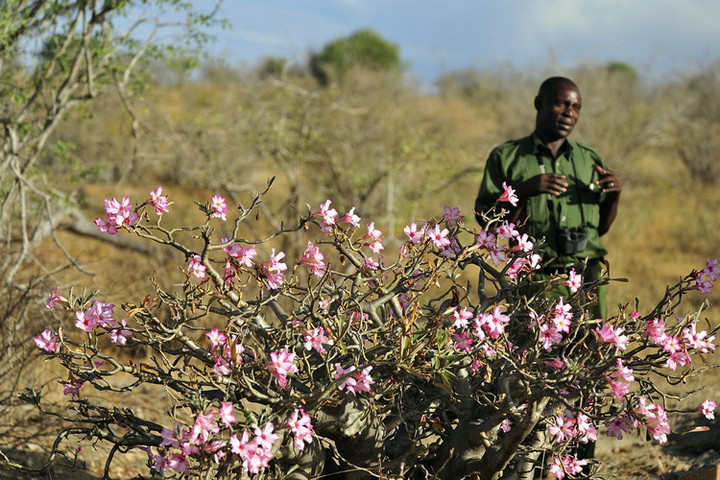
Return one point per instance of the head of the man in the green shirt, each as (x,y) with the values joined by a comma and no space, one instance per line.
(558,105)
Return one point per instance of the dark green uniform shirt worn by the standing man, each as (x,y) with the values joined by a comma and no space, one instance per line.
(517,160)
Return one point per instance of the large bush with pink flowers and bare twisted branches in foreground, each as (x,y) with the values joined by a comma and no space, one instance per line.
(431,361)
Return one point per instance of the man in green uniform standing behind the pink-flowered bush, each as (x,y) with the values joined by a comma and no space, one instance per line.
(567,195)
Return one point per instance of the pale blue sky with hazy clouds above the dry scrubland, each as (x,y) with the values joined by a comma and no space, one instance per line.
(658,37)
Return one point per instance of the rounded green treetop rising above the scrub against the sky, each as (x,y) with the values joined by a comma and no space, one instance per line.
(364,49)
